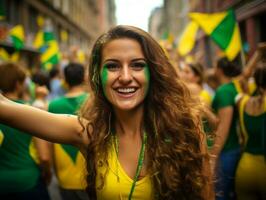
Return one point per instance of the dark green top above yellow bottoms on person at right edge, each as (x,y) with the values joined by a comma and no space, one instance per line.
(256,133)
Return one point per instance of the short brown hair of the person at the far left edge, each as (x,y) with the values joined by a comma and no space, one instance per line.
(13,74)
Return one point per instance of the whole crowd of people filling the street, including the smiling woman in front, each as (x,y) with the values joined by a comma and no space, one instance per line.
(140,128)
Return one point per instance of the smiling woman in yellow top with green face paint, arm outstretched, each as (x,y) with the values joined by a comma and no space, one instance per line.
(140,130)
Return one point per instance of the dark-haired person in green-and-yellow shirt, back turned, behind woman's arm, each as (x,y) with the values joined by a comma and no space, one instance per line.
(68,160)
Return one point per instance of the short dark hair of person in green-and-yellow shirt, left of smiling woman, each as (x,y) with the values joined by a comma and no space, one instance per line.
(74,74)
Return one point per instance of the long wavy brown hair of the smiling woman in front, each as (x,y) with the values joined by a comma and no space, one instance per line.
(171,119)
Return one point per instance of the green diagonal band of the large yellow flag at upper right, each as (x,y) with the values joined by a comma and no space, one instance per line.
(223,33)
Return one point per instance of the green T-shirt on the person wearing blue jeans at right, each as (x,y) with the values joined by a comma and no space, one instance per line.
(225,97)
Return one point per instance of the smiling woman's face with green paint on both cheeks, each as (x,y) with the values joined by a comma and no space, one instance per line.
(125,74)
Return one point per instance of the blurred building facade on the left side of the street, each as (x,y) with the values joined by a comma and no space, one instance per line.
(75,23)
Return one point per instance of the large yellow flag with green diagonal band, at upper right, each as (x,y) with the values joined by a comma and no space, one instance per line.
(223,29)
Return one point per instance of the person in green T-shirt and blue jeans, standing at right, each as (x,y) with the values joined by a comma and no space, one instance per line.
(226,149)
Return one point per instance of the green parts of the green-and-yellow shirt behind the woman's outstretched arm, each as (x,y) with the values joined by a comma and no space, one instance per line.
(68,105)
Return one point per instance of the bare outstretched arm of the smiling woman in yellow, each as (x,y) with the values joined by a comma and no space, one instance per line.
(52,127)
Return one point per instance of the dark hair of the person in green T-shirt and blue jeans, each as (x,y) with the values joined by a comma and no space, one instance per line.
(229,68)
